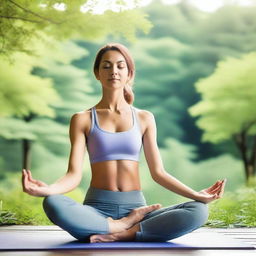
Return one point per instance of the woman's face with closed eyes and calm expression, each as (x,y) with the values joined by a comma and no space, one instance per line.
(113,70)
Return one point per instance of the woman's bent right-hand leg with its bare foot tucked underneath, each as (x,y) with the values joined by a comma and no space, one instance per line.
(162,225)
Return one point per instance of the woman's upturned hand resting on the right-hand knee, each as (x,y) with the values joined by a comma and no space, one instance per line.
(212,193)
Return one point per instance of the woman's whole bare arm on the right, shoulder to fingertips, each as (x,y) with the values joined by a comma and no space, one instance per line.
(162,177)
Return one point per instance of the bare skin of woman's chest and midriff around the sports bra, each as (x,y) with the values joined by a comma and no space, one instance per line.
(115,175)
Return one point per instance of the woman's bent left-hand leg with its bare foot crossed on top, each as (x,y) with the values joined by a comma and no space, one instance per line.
(81,221)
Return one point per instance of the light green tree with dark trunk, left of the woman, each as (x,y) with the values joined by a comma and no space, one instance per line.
(27,99)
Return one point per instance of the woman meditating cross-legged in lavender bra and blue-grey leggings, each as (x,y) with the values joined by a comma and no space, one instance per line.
(114,132)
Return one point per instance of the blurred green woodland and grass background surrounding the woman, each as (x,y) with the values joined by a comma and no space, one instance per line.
(195,71)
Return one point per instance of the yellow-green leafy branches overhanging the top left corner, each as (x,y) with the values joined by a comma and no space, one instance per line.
(23,20)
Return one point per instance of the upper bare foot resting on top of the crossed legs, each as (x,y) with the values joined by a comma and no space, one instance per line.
(134,217)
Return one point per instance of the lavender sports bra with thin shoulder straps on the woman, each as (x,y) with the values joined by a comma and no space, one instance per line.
(103,145)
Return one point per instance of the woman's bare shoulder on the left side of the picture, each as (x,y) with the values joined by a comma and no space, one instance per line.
(81,120)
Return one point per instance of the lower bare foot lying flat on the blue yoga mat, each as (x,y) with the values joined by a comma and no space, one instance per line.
(126,235)
